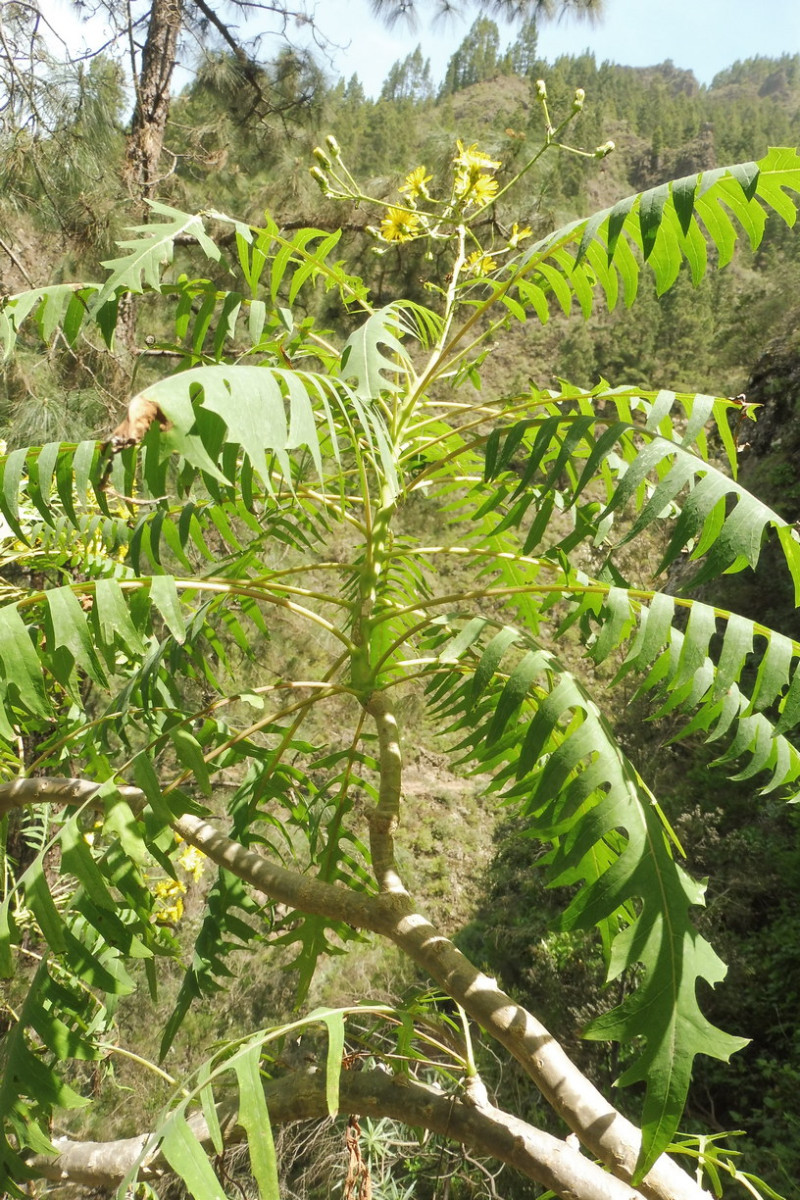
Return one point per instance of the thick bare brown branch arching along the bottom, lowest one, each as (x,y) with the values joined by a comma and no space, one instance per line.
(485,1131)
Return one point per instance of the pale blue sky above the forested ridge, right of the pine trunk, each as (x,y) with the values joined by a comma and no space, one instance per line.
(702,35)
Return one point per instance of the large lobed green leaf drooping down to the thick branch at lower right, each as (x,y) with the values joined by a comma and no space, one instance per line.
(562,764)
